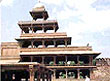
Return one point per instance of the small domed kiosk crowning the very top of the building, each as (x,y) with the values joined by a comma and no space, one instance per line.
(39,12)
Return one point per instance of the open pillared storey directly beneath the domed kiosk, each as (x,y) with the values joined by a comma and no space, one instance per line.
(34,26)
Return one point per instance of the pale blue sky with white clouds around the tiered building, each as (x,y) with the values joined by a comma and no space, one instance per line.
(86,21)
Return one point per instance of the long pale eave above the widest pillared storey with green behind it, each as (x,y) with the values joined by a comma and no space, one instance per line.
(62,53)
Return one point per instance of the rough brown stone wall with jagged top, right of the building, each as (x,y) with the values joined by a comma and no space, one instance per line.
(102,73)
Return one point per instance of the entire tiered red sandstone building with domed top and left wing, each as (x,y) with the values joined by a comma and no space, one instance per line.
(45,56)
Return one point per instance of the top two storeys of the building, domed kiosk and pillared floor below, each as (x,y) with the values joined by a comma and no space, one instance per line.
(34,26)
